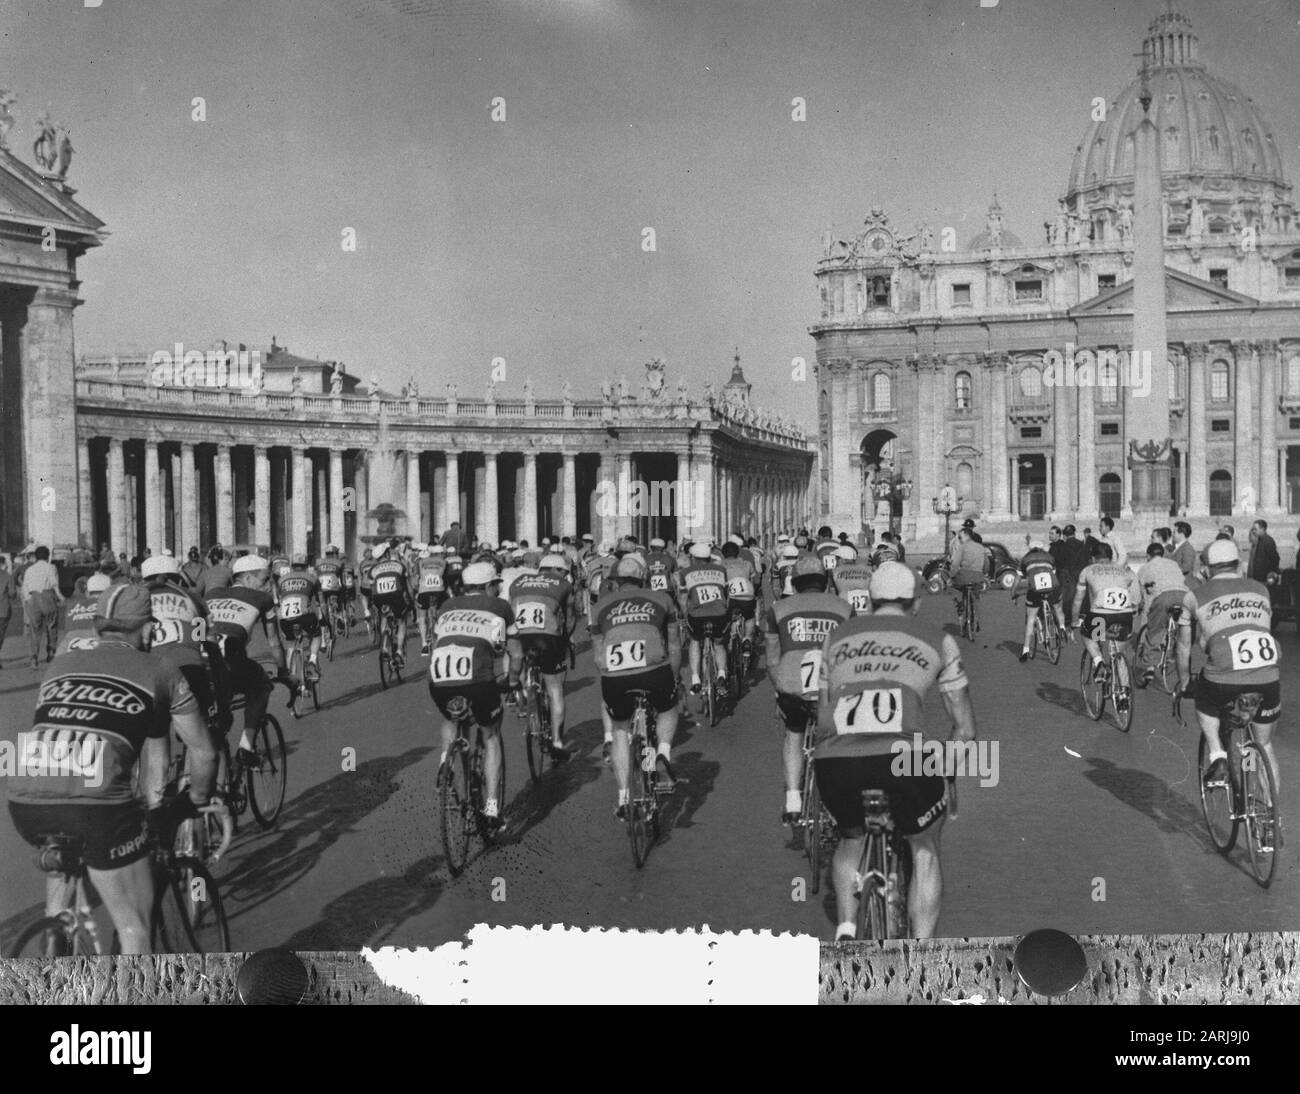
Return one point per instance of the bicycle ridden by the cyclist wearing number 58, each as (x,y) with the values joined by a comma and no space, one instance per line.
(1249,796)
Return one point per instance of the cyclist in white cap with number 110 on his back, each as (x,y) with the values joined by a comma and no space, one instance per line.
(469,659)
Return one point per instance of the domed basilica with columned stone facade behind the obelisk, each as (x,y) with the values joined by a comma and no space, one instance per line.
(1003,368)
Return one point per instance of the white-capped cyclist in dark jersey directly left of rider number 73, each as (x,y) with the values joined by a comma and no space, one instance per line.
(235,614)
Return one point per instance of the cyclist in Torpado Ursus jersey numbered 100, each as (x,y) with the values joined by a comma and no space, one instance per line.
(102,714)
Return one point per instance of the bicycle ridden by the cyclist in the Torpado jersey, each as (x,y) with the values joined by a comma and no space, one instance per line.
(187,917)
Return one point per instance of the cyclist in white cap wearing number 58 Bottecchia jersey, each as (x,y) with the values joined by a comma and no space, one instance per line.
(1232,617)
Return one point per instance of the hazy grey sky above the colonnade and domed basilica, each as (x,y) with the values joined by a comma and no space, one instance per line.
(522,240)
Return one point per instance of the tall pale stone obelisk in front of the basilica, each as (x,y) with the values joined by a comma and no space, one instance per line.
(1150,445)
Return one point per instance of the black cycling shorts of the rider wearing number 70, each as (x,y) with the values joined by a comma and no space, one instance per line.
(917,802)
